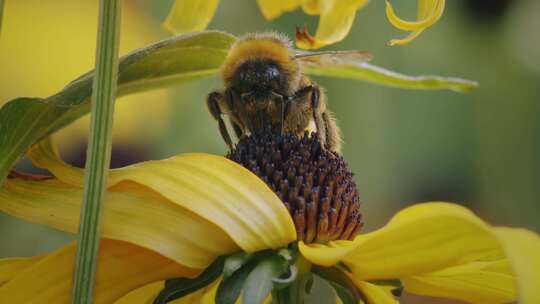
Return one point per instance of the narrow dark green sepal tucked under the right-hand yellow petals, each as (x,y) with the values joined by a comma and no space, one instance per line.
(344,287)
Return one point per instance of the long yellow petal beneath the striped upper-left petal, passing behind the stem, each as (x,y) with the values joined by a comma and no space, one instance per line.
(136,215)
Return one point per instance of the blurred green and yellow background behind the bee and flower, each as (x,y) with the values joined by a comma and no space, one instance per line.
(479,149)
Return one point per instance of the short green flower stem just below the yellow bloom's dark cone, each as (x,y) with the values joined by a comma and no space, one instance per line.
(294,294)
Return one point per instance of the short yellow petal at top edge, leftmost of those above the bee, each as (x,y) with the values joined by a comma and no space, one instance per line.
(190,15)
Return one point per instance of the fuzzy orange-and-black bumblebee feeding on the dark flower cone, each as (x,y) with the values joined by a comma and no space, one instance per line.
(265,87)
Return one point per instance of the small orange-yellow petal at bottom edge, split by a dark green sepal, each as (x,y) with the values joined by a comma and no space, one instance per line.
(147,294)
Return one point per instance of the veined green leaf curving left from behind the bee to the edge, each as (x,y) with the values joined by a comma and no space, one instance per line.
(177,60)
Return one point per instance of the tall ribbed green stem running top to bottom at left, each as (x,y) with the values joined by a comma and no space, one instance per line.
(99,149)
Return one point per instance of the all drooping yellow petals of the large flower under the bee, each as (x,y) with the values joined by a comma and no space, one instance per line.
(174,217)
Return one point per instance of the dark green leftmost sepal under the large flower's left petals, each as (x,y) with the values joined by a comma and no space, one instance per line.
(177,288)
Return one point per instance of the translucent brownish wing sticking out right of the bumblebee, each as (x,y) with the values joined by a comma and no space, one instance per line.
(330,58)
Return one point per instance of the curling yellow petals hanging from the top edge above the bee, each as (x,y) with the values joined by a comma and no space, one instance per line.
(335,18)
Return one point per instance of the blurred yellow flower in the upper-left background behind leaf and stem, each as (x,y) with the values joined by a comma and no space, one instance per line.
(46,44)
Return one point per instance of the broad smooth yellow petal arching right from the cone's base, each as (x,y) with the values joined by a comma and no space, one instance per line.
(422,238)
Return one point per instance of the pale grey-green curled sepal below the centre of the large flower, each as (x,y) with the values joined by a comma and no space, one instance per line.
(260,281)
